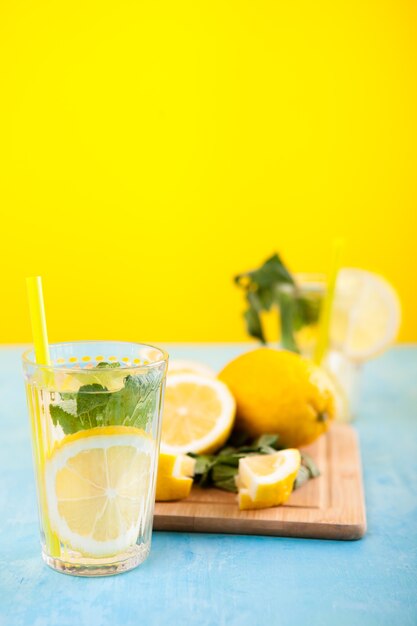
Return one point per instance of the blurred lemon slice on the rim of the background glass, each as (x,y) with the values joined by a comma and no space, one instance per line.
(366,314)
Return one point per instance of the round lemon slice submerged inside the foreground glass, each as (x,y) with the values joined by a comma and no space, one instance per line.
(97,486)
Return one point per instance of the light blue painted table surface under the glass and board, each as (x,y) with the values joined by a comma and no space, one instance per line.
(215,580)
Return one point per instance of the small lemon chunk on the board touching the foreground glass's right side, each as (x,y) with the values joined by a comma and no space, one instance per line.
(175,473)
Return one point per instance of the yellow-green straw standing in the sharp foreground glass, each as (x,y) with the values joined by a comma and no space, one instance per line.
(42,357)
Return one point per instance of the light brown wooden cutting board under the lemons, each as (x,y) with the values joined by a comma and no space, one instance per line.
(328,507)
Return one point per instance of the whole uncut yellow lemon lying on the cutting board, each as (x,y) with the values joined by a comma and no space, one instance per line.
(280,392)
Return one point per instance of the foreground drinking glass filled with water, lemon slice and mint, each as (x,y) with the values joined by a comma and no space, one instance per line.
(95,416)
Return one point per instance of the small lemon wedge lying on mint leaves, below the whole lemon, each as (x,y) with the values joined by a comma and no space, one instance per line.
(267,480)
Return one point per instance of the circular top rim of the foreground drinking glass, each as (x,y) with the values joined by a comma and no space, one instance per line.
(72,370)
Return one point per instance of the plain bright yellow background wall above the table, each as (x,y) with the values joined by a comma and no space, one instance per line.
(151,150)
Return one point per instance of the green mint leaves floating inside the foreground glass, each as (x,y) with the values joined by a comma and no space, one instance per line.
(95,405)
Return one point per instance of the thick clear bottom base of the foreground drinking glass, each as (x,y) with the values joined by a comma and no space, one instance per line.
(84,567)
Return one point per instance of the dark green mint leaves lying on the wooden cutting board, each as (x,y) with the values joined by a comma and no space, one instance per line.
(220,470)
